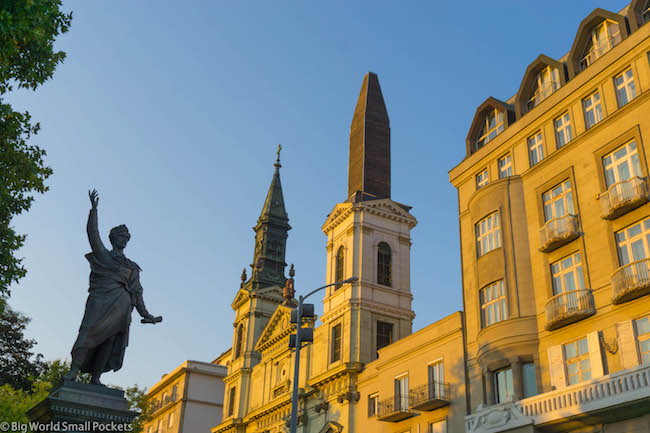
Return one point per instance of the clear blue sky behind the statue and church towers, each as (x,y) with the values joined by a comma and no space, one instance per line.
(173,111)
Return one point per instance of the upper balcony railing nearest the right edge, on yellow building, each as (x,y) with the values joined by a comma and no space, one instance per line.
(623,196)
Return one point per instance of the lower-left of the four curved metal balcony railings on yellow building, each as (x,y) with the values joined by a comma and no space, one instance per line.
(569,307)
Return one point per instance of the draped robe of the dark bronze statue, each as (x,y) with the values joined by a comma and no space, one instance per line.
(114,290)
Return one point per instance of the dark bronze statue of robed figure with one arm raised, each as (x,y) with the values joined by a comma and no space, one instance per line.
(114,290)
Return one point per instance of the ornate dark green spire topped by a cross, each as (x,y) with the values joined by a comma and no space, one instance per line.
(271,237)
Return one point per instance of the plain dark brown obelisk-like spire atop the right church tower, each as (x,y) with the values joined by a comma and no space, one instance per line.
(369,161)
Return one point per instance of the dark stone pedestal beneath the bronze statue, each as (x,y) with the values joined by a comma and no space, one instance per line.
(86,406)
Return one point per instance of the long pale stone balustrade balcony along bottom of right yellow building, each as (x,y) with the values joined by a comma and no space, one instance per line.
(607,399)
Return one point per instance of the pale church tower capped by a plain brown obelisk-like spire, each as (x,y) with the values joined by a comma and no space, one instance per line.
(368,236)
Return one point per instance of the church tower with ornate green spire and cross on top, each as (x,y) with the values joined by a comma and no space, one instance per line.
(258,297)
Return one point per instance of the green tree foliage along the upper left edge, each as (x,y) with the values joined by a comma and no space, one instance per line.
(28,29)
